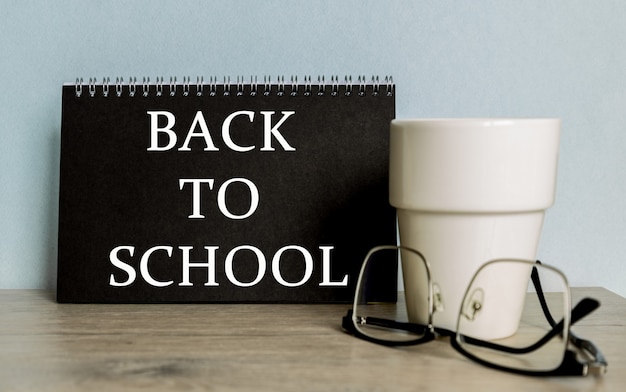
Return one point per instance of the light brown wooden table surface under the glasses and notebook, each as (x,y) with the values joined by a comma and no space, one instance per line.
(45,346)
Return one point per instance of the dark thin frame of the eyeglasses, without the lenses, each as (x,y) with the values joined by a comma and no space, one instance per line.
(580,357)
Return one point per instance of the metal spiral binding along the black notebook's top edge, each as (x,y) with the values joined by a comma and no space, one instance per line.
(374,86)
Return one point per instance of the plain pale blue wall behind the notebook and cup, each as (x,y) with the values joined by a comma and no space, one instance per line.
(532,58)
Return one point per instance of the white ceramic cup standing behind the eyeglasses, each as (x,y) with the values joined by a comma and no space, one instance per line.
(468,191)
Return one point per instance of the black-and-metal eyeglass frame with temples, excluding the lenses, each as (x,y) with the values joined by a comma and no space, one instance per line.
(569,366)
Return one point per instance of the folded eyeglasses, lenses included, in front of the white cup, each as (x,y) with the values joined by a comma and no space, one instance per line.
(507,320)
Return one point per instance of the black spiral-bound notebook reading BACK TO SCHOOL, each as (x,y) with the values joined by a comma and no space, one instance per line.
(222,192)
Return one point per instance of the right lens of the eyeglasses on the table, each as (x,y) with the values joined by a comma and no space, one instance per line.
(502,322)
